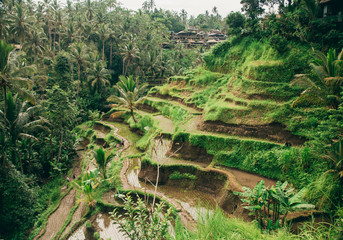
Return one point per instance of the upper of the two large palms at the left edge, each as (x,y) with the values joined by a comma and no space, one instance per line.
(13,74)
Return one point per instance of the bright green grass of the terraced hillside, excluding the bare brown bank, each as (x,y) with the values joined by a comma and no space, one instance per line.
(247,82)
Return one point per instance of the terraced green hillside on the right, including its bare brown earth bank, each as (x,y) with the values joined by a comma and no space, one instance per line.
(244,96)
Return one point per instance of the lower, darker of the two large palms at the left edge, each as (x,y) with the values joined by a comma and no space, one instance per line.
(17,122)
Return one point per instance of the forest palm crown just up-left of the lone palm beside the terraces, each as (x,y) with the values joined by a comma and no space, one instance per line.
(98,76)
